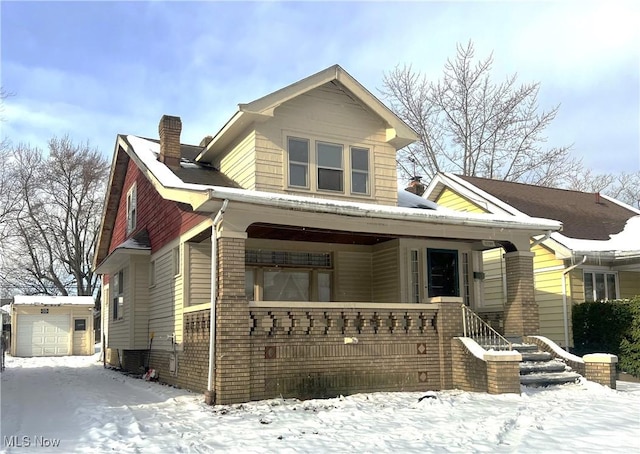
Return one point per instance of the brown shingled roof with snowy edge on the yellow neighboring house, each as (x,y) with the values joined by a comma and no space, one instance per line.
(583,215)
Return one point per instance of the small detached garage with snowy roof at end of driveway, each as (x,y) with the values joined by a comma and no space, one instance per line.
(52,326)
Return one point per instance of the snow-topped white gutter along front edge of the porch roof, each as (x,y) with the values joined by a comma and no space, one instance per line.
(300,203)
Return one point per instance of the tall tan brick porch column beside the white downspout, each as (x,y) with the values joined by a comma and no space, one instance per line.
(232,373)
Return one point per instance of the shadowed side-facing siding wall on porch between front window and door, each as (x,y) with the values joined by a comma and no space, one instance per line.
(386,272)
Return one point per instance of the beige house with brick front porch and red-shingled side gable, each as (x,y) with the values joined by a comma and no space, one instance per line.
(325,279)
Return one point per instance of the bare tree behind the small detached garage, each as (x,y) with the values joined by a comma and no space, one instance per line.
(60,197)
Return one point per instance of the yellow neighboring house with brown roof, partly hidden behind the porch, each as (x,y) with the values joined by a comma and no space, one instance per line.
(595,257)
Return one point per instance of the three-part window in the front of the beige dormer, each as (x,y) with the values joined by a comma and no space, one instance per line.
(329,168)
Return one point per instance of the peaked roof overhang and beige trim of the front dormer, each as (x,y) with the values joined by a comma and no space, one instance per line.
(399,134)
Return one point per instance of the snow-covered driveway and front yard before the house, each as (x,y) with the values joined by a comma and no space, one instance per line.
(73,401)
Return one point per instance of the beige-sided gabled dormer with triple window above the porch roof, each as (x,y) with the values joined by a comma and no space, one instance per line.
(324,136)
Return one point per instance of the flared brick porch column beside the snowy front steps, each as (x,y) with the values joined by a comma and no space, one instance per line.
(521,309)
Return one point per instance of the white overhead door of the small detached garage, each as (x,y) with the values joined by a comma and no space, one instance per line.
(43,335)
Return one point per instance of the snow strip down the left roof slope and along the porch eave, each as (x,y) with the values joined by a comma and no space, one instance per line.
(147,152)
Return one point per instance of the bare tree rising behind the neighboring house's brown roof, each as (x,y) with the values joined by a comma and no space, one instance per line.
(470,125)
